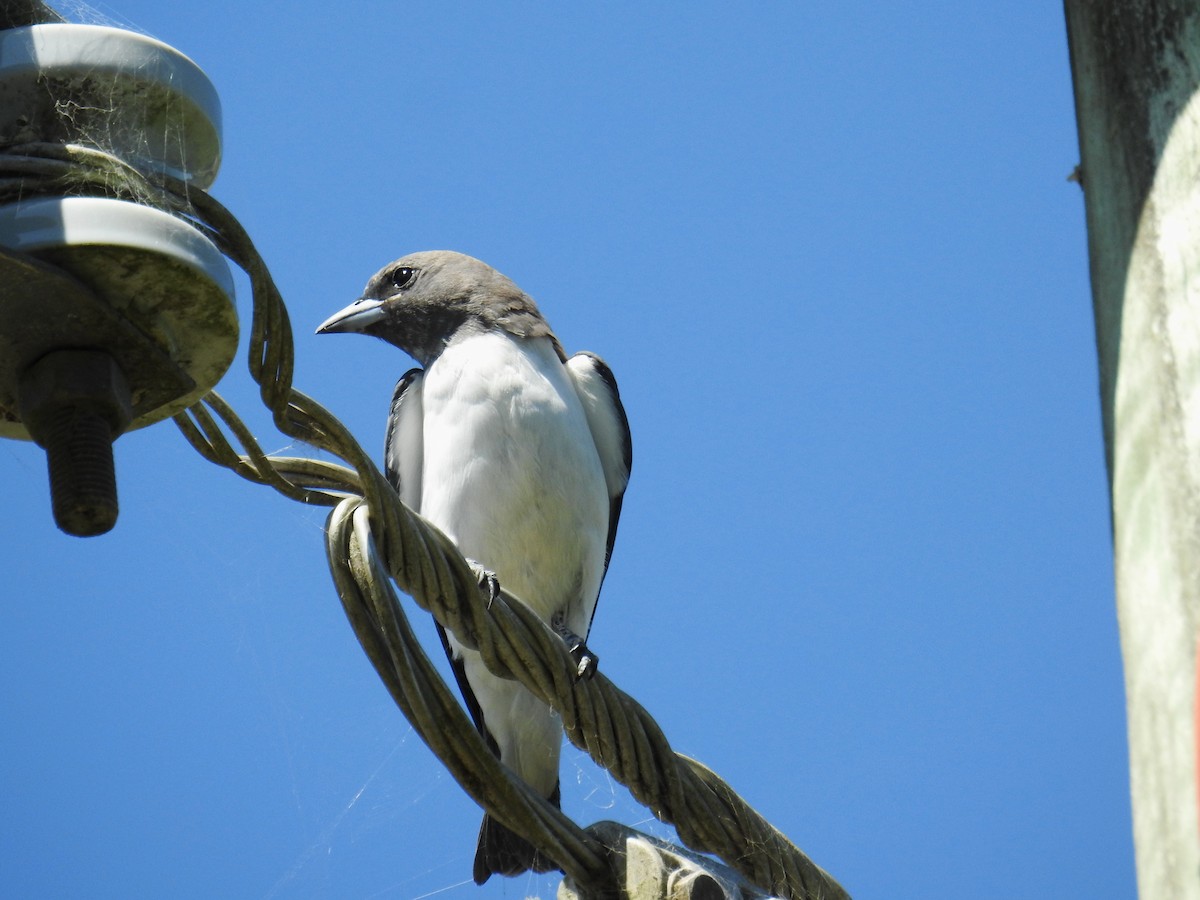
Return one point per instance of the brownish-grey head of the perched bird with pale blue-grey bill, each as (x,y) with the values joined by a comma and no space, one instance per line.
(423,301)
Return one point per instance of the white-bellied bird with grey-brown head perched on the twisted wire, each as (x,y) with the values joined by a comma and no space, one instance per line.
(521,457)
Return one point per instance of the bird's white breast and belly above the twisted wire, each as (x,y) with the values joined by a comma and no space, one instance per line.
(512,472)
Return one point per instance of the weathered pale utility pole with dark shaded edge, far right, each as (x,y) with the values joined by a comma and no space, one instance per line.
(1137,73)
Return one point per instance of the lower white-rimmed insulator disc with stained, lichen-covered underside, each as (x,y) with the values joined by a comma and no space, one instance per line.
(122,278)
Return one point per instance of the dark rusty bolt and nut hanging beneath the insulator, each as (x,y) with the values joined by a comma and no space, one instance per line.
(76,404)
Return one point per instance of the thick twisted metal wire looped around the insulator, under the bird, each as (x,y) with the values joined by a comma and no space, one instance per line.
(375,541)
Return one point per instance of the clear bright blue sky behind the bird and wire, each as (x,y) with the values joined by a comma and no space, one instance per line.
(865,566)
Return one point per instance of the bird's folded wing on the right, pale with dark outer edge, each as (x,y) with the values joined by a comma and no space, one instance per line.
(597,389)
